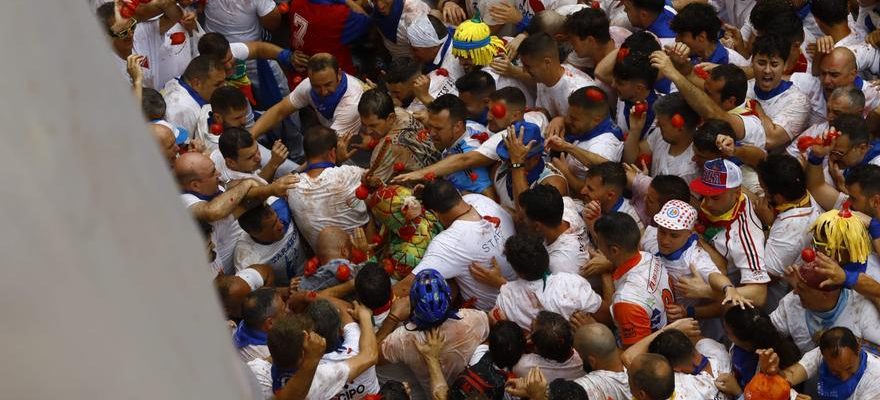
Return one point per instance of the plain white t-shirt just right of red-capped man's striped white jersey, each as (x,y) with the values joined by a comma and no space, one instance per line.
(788,236)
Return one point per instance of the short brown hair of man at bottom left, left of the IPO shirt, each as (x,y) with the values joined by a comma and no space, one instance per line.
(285,339)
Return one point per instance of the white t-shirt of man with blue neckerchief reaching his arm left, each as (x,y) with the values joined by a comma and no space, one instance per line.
(345,118)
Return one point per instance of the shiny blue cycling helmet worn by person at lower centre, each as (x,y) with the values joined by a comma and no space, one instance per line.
(430,300)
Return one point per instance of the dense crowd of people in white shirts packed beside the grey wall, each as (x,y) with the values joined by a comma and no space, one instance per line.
(500,199)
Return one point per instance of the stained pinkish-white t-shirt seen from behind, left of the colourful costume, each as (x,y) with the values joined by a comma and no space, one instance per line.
(328,200)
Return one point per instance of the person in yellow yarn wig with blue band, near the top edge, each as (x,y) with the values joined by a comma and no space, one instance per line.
(475,48)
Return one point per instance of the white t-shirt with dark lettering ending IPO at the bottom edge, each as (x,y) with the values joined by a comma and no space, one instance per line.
(365,383)
